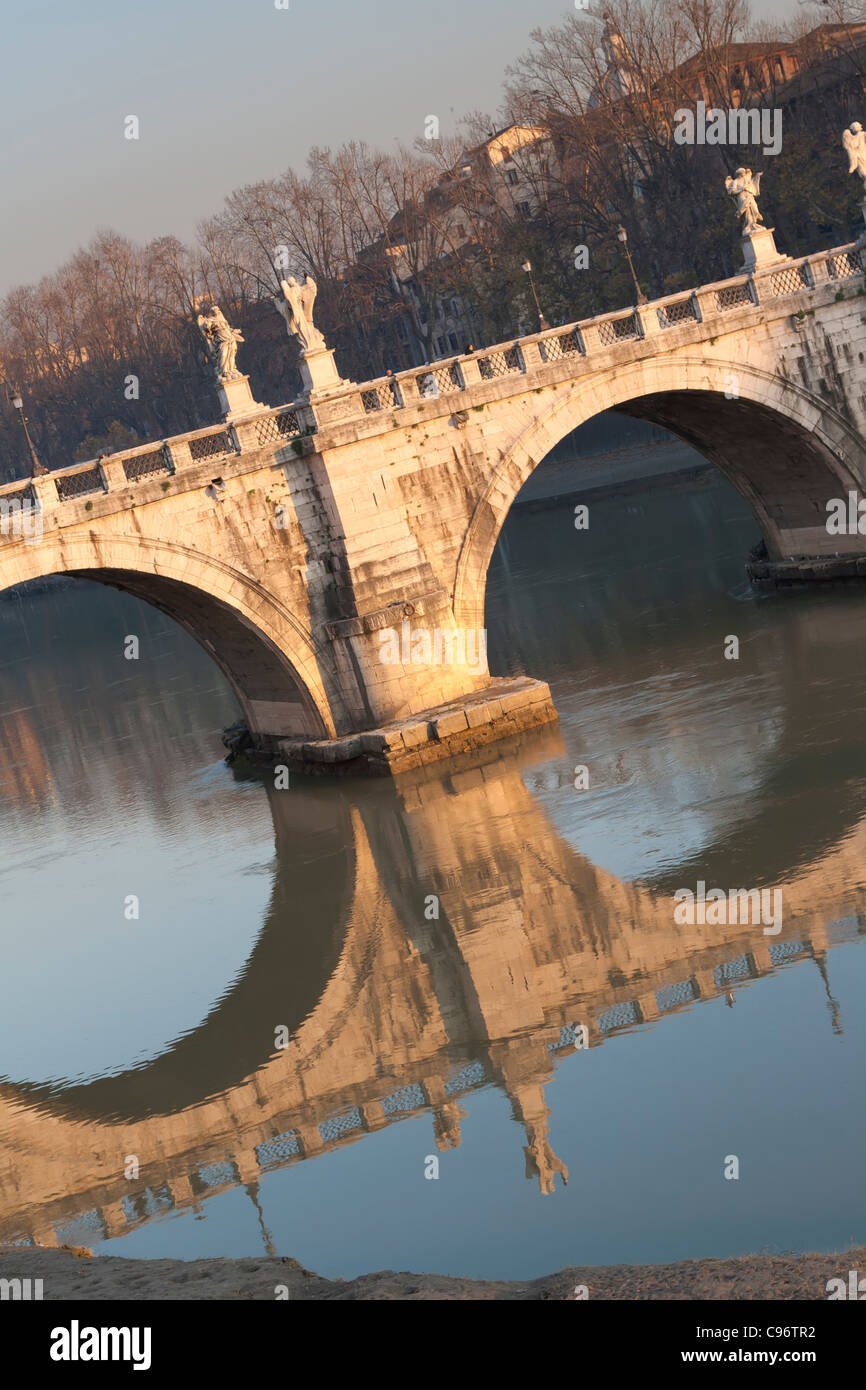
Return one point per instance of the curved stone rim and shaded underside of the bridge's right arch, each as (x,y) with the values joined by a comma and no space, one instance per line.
(783,450)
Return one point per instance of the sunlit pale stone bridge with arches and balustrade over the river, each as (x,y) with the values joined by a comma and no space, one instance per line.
(333,554)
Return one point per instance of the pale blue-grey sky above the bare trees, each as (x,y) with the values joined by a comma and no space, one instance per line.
(227,92)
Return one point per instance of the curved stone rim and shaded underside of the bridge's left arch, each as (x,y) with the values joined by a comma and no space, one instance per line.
(262,648)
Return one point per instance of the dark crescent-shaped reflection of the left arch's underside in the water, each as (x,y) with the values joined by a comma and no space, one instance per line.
(283,982)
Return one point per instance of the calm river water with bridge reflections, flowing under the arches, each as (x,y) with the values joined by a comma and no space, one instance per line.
(372,1027)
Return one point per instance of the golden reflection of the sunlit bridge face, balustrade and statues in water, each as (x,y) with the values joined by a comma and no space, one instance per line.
(532,943)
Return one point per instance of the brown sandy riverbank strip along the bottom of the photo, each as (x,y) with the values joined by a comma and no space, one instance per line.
(72,1277)
